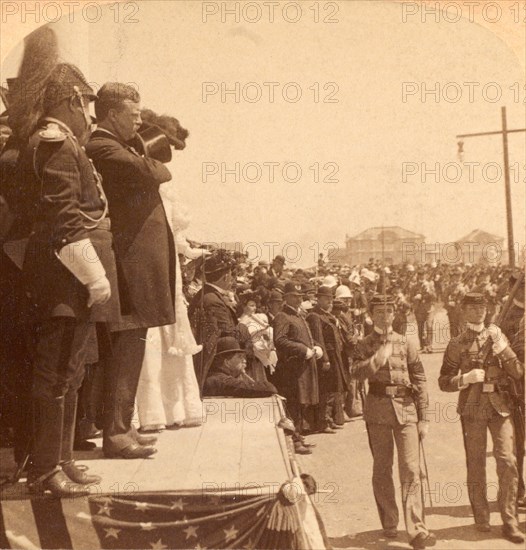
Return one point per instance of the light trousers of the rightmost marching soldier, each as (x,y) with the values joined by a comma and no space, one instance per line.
(475,433)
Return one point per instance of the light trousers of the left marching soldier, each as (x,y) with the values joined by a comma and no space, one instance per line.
(381,440)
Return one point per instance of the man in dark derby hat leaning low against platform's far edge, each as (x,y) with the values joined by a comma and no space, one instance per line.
(227,375)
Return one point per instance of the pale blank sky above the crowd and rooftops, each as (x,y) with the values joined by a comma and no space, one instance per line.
(362,146)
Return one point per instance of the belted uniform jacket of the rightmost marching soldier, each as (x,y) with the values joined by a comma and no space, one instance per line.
(459,358)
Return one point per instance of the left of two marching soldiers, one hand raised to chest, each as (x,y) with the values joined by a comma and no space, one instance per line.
(395,410)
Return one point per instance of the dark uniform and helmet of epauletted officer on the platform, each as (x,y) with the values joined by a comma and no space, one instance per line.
(70,207)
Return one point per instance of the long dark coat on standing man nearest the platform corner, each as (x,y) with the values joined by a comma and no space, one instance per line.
(298,377)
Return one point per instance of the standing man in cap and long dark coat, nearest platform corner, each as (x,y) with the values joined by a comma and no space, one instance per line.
(296,374)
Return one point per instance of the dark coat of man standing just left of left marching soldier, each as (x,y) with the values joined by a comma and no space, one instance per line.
(324,329)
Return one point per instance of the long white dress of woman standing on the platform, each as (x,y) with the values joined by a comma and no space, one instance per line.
(168,393)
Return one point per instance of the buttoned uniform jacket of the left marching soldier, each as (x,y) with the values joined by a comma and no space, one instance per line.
(403,368)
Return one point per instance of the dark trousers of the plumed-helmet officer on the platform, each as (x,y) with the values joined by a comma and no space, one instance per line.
(57,375)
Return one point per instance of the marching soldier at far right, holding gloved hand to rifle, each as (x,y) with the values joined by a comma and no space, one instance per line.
(484,403)
